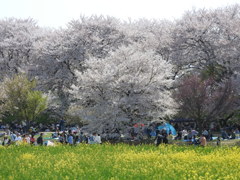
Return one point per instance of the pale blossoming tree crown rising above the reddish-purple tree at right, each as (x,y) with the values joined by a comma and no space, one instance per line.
(208,39)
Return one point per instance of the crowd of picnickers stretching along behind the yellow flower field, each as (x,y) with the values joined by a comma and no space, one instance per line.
(17,133)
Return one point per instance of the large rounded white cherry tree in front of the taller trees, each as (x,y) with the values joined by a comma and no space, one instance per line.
(131,85)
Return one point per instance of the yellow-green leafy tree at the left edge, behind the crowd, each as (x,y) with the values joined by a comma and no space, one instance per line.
(20,100)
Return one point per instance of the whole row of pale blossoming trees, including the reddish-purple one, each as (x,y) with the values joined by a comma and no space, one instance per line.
(105,71)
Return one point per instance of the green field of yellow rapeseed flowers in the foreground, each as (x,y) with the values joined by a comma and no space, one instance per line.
(119,161)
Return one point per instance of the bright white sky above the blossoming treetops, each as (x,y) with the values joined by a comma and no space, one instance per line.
(57,13)
